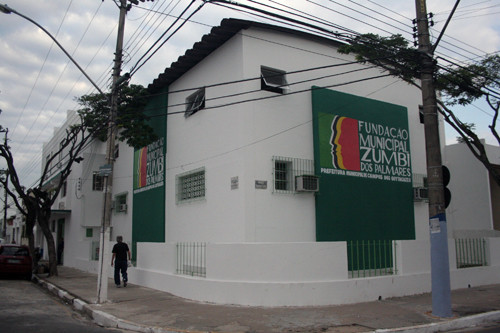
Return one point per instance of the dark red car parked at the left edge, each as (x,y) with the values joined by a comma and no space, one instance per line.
(15,260)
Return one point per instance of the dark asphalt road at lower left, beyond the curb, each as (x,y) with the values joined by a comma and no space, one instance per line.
(25,307)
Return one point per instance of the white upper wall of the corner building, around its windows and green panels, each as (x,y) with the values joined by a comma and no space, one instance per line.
(241,139)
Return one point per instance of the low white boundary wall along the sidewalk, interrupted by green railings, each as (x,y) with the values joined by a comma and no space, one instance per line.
(297,274)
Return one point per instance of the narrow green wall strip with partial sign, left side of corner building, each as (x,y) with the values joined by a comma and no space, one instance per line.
(148,219)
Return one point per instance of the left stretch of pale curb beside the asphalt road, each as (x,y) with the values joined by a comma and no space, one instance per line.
(101,318)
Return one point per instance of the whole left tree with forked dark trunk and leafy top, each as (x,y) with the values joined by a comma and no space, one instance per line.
(36,202)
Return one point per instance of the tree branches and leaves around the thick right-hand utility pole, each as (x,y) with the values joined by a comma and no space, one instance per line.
(459,85)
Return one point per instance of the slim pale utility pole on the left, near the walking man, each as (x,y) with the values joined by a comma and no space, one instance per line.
(105,248)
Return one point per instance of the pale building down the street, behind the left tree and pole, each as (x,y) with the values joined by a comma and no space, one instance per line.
(77,213)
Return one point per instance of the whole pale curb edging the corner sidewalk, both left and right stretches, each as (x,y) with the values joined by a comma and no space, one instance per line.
(104,319)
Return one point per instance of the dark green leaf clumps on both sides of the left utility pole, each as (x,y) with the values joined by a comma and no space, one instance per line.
(131,121)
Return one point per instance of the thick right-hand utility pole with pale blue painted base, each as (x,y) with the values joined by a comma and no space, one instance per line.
(440,268)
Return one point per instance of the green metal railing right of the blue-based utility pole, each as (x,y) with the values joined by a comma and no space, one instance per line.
(471,252)
